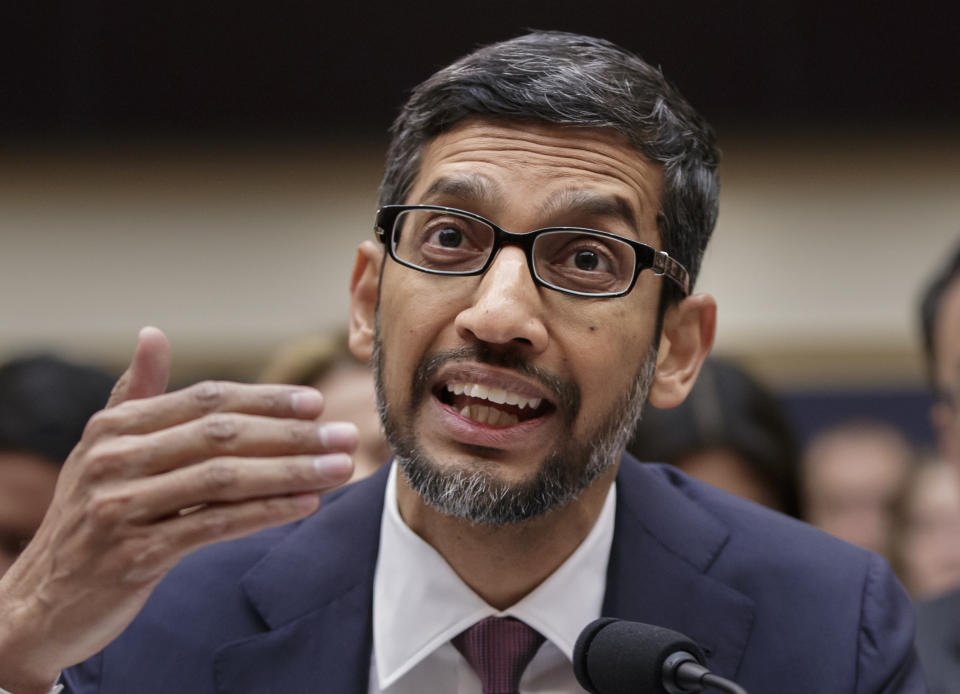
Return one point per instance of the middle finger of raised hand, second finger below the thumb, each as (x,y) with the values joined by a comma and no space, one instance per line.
(214,436)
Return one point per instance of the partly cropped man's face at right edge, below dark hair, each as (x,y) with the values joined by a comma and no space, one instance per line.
(946,414)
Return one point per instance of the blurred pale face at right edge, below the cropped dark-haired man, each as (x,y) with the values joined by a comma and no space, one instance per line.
(925,537)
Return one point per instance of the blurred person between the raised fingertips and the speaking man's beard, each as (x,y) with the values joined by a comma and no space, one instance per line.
(326,363)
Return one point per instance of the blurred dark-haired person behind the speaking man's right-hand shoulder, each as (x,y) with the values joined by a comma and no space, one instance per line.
(730,432)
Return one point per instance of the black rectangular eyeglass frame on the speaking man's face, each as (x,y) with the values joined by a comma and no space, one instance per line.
(647,257)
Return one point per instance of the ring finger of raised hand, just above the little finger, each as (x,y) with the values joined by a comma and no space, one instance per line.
(224,480)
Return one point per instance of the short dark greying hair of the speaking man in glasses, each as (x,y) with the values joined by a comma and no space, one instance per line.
(568,79)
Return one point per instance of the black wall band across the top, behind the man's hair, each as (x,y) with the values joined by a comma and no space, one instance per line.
(94,68)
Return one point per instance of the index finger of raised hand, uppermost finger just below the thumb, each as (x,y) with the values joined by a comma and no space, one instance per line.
(171,409)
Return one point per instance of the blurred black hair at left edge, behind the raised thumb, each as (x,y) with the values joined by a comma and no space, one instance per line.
(45,403)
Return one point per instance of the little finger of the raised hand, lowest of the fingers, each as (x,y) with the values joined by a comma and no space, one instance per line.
(183,534)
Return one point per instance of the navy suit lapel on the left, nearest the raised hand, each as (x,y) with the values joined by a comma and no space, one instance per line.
(313,592)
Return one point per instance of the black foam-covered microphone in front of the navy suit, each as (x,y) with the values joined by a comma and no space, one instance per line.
(613,656)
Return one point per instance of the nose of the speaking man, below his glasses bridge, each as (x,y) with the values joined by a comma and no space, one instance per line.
(506,309)
